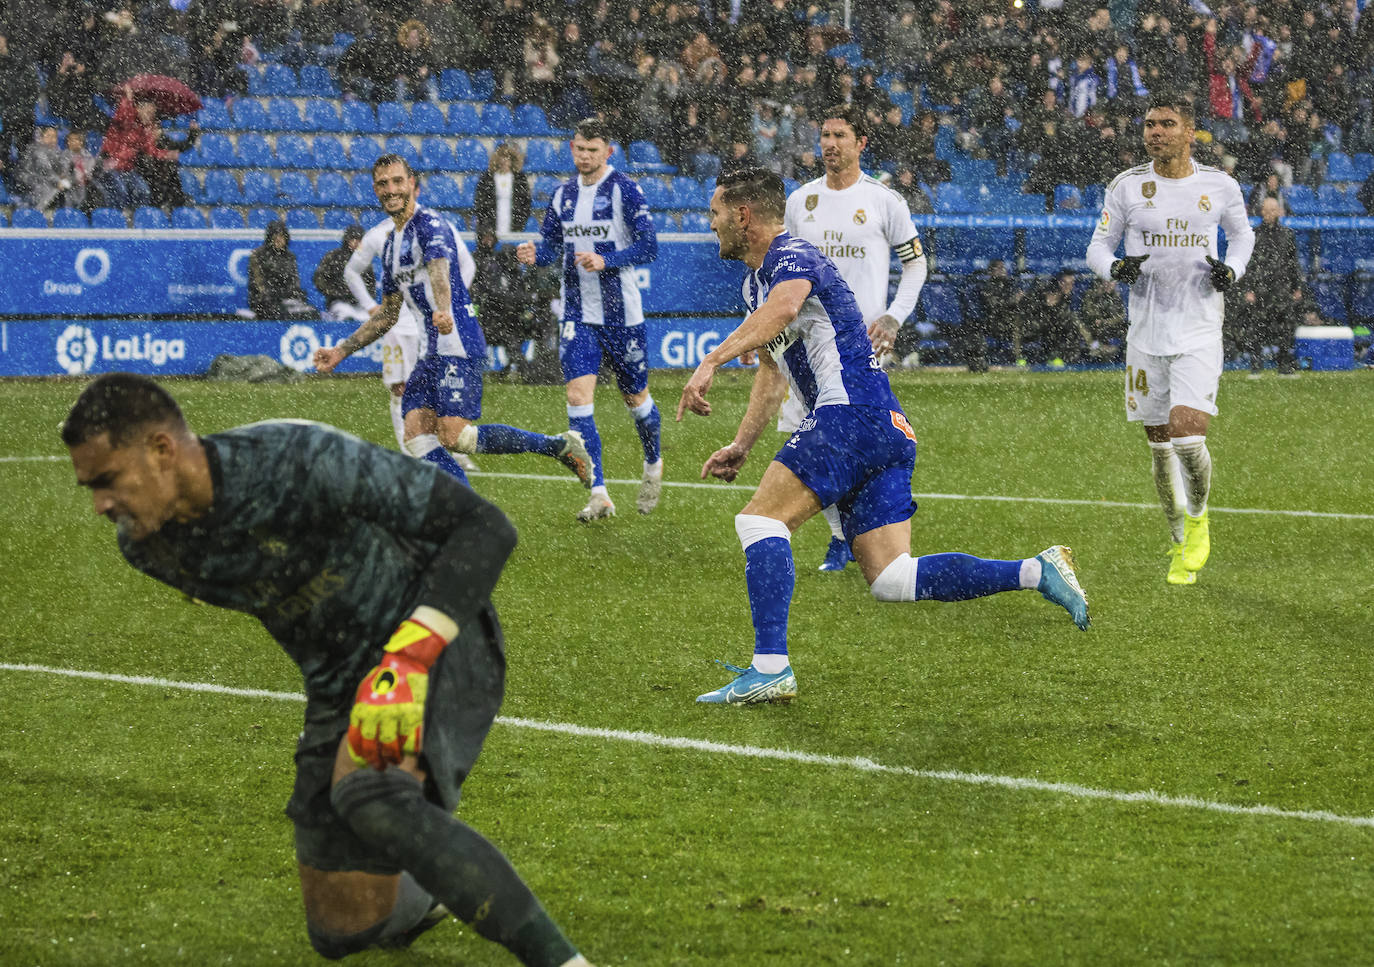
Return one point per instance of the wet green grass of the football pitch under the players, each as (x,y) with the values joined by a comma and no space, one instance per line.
(144,825)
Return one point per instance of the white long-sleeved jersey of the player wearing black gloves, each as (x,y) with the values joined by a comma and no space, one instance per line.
(1174,307)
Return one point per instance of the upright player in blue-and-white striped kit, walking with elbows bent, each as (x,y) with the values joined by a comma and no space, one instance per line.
(598,227)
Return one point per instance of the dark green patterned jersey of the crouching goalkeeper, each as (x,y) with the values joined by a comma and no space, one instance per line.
(329,542)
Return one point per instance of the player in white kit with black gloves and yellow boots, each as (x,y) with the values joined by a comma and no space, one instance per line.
(1169,211)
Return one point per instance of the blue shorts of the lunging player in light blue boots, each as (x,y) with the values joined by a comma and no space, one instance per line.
(858,458)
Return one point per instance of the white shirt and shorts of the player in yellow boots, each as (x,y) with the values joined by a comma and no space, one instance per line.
(1174,344)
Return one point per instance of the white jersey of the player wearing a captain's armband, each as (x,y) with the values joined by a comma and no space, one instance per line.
(857,229)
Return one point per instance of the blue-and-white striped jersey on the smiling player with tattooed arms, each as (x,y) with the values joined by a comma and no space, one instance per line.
(425,238)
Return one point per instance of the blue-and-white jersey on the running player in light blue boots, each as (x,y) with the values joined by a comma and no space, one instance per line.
(825,351)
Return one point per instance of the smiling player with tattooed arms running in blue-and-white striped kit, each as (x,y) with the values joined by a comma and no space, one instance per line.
(443,396)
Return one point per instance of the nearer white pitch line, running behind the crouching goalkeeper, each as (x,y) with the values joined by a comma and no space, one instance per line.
(857,763)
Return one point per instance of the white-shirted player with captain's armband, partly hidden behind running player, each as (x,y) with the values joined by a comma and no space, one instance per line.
(857,222)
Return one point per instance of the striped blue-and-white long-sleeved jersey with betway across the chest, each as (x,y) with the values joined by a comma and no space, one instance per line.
(611,219)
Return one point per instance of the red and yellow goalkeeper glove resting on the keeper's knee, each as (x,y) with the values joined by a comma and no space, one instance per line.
(390,708)
